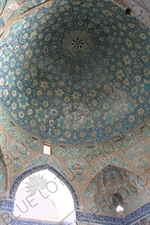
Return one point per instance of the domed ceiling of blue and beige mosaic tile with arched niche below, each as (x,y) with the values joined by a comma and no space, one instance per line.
(75,74)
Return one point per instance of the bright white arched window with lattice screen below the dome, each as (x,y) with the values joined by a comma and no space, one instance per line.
(43,196)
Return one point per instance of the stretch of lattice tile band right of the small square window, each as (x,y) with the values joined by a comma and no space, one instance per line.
(118,144)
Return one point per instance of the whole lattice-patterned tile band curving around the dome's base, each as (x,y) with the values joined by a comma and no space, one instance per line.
(119,143)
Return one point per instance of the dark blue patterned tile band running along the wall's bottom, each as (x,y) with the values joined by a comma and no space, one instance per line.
(7,206)
